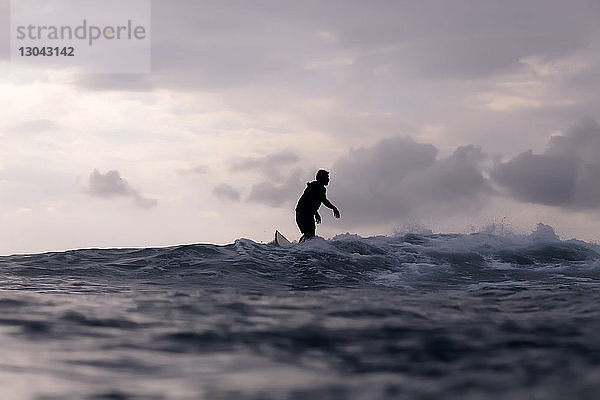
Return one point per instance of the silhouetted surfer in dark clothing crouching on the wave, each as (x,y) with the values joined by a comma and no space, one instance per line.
(307,210)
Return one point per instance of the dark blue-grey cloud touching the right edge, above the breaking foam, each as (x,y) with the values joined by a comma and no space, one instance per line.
(566,175)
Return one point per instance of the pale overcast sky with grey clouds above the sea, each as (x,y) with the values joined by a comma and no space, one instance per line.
(433,115)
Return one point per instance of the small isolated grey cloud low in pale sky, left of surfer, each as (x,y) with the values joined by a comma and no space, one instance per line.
(111,184)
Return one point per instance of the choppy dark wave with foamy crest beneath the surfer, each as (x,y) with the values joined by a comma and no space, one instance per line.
(403,260)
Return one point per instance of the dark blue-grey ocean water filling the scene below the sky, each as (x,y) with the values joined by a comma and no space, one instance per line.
(408,316)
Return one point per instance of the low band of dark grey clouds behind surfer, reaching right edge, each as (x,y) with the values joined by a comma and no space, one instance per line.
(399,178)
